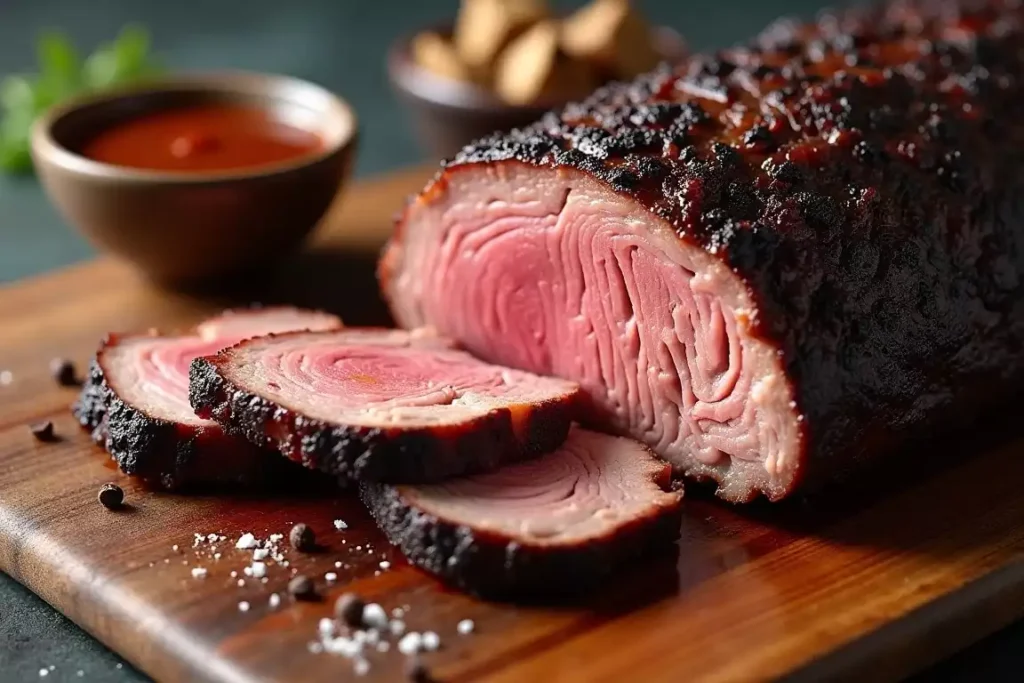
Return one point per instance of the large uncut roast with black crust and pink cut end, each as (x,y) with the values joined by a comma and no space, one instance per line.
(773,265)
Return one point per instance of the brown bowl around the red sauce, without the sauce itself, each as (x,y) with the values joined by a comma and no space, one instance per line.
(184,229)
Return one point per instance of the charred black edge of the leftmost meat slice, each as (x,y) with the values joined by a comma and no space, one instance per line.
(165,455)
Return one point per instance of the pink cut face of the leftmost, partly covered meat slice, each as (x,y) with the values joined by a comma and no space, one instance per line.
(152,373)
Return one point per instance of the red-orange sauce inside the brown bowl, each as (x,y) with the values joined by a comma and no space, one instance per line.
(203,139)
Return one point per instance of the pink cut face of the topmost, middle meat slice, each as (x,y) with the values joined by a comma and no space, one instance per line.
(383,378)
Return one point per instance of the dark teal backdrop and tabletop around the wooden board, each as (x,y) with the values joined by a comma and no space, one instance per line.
(340,45)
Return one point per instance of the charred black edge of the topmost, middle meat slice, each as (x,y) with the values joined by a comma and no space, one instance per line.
(353,453)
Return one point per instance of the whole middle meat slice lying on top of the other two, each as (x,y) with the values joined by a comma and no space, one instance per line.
(381,405)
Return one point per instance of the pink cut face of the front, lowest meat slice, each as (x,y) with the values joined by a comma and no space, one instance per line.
(593,484)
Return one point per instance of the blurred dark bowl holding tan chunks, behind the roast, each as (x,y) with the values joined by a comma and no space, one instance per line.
(447,114)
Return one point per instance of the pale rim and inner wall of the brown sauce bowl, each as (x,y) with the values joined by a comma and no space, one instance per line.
(46,148)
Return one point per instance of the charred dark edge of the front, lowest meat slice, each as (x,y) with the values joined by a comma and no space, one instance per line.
(493,567)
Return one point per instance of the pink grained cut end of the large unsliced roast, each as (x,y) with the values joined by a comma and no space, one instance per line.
(551,272)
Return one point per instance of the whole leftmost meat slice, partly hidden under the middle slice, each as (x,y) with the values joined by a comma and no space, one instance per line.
(136,402)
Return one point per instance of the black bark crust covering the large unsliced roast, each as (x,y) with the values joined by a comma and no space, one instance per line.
(865,178)
